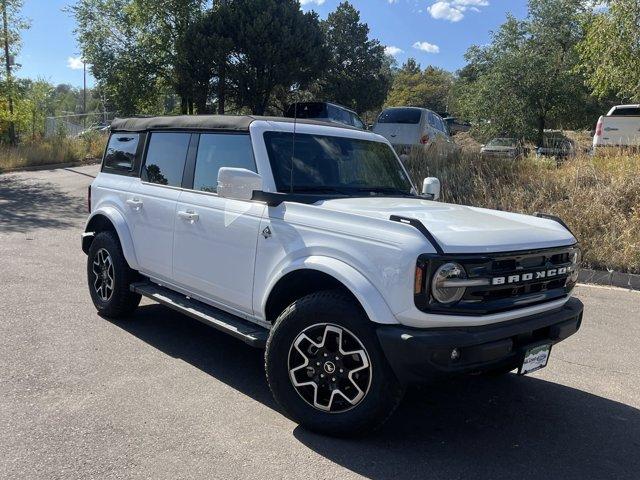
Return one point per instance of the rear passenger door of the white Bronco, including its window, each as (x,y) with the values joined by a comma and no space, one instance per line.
(153,202)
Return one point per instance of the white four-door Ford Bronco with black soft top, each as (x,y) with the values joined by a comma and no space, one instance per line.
(312,242)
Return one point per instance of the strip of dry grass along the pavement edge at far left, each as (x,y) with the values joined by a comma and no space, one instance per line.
(52,151)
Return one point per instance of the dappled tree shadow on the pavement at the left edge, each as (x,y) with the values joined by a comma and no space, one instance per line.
(26,205)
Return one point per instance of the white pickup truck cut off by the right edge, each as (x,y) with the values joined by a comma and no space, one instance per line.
(619,128)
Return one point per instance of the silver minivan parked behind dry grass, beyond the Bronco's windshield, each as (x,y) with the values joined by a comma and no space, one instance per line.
(407,127)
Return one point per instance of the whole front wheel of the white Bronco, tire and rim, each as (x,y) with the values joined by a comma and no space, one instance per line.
(326,369)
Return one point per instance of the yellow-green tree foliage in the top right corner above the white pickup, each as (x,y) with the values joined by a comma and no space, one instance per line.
(610,50)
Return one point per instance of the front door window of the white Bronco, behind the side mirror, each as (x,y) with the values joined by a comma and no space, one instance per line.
(217,150)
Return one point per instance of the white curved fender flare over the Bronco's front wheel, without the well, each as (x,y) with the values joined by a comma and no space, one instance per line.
(362,289)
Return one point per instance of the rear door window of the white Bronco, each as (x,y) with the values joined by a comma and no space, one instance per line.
(166,156)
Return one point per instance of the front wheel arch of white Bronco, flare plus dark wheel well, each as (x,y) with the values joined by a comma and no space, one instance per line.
(316,273)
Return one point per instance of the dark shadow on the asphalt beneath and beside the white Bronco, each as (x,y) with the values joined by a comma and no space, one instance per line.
(506,427)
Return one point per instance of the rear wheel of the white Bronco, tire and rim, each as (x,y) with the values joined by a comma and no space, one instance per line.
(109,277)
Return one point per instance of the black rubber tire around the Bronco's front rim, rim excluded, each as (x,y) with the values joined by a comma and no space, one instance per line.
(336,309)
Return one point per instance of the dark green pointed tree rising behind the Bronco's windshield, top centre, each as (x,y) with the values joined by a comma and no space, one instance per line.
(357,73)
